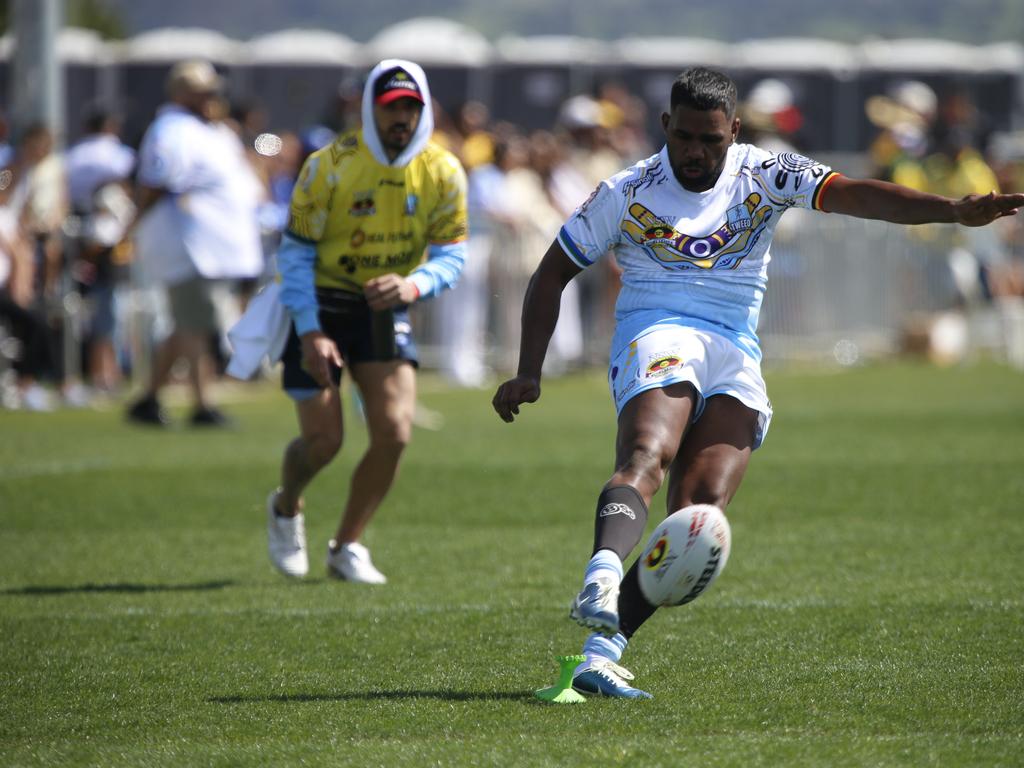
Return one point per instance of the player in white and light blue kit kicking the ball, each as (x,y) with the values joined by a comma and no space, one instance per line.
(691,229)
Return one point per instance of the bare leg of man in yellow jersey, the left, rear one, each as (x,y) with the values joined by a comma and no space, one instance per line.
(319,442)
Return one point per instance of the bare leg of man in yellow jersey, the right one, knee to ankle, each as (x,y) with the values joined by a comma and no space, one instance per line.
(389,392)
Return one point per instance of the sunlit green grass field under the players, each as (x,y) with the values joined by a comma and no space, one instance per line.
(872,613)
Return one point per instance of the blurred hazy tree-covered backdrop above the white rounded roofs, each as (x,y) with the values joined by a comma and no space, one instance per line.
(975,22)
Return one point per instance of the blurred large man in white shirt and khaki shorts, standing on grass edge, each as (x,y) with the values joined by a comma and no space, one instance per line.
(200,198)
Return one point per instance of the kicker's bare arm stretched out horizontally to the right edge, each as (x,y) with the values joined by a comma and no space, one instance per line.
(871,199)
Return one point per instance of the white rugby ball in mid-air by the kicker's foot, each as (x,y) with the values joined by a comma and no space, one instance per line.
(685,556)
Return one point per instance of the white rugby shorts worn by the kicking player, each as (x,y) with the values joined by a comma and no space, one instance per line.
(671,354)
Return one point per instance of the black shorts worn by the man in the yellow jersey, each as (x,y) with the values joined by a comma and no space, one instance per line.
(362,336)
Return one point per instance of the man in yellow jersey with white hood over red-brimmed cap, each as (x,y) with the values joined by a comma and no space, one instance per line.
(378,222)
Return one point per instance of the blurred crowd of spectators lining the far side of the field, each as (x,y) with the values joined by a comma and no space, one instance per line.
(79,315)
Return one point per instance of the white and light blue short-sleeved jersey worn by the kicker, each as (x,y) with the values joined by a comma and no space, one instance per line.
(700,259)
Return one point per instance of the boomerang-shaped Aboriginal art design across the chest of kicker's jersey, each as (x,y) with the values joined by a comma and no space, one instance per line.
(723,249)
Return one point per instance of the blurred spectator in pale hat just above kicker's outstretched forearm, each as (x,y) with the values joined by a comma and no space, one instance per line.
(906,116)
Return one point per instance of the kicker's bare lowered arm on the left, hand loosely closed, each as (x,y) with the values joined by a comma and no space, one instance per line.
(540,314)
